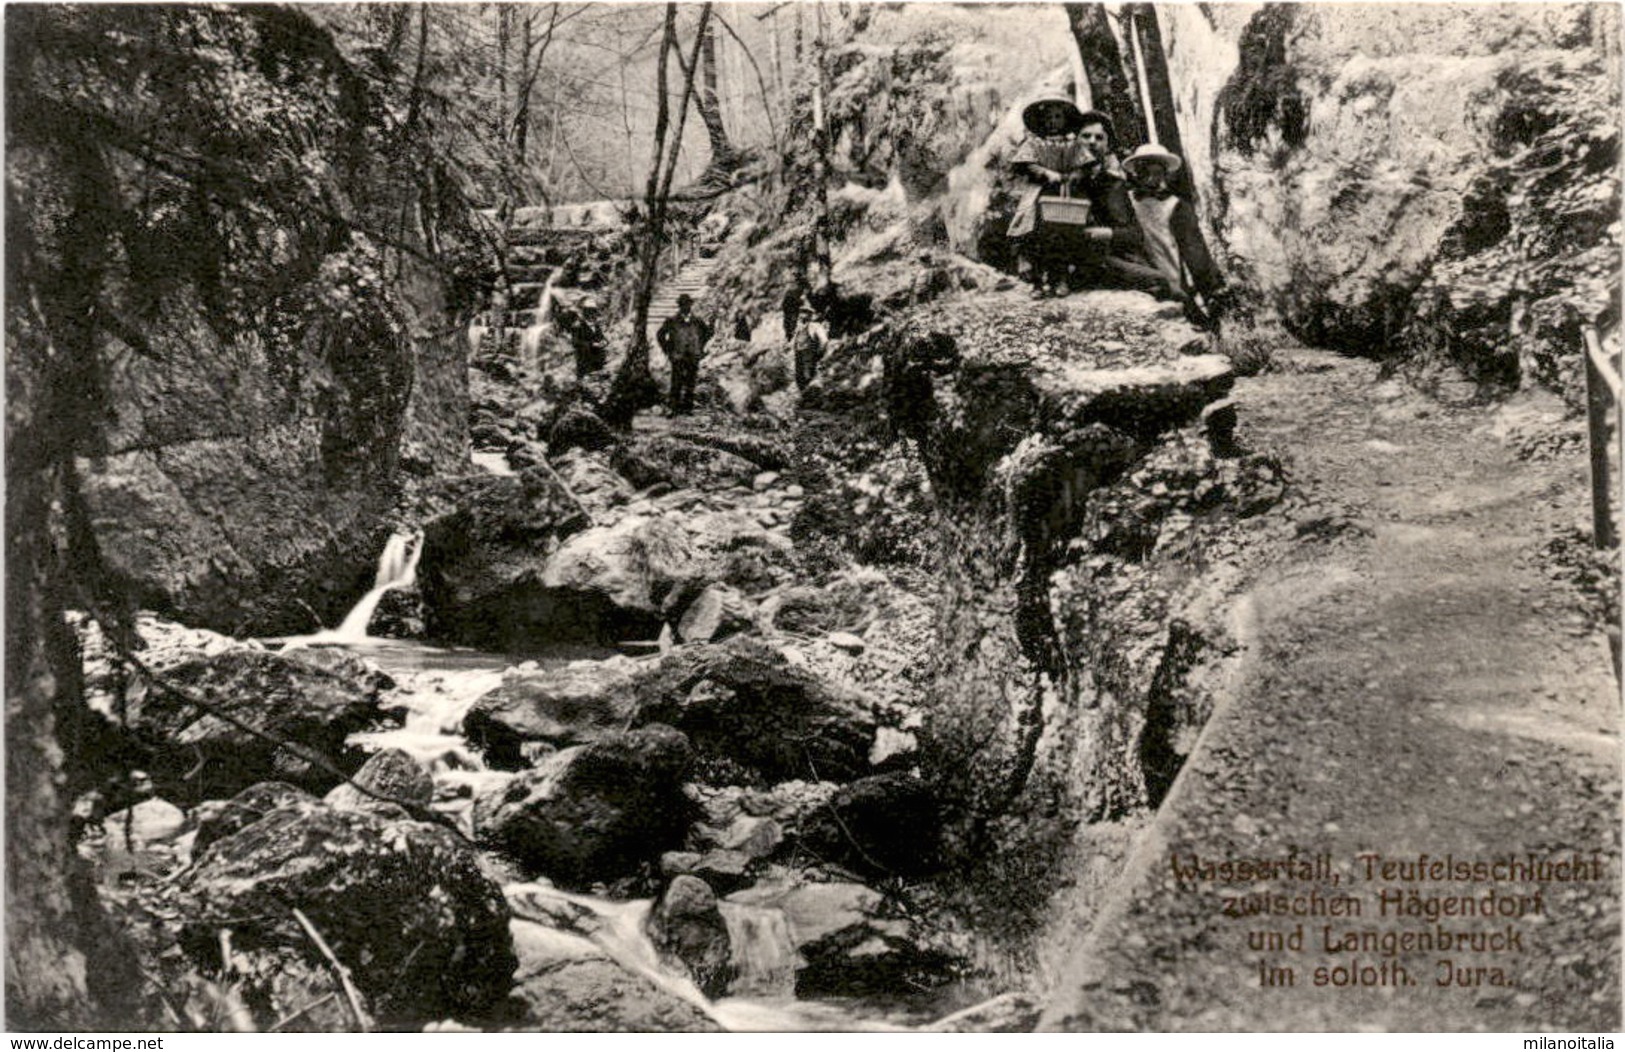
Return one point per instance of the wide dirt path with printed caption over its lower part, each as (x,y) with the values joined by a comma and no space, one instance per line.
(1416,682)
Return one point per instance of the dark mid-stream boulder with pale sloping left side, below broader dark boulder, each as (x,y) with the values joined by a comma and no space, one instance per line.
(594,812)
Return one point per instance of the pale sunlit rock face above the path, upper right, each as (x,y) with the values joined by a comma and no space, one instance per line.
(1436,183)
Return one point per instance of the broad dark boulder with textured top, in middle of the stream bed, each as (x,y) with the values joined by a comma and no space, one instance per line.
(742,702)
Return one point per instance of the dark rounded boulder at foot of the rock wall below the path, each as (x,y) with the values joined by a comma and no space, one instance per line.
(886,825)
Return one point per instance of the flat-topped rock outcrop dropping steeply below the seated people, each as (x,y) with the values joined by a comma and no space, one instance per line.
(1085,505)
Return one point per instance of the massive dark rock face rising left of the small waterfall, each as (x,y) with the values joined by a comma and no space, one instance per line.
(209,193)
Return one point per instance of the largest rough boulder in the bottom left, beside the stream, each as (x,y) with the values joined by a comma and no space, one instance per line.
(402,905)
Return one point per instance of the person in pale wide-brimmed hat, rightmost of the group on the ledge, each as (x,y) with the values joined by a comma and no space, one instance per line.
(1174,243)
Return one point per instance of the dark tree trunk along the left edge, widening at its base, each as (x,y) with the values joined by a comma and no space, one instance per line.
(66,968)
